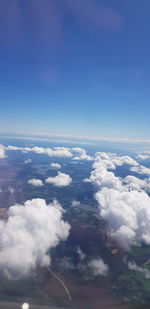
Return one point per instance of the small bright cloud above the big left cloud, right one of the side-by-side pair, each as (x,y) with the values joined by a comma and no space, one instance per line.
(61,180)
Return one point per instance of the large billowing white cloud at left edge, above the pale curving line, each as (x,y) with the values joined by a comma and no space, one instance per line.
(30,231)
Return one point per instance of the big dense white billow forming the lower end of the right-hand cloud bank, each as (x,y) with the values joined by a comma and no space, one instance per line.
(128,215)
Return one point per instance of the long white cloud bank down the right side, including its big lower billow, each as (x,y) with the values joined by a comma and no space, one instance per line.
(124,203)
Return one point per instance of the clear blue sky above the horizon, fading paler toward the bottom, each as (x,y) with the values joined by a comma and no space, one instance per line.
(75,66)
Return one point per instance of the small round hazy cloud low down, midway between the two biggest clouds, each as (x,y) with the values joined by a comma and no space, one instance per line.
(98,267)
